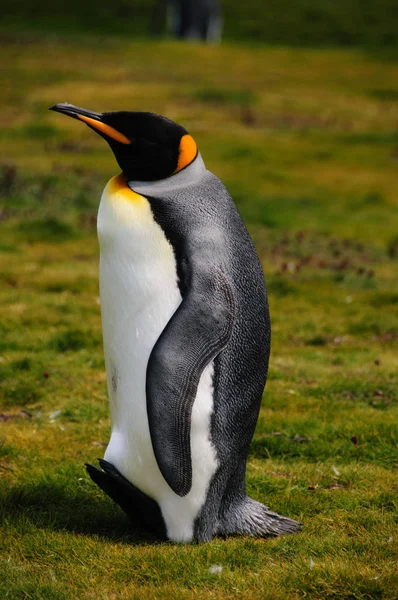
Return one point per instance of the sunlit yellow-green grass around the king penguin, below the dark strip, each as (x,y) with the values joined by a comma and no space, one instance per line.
(306,141)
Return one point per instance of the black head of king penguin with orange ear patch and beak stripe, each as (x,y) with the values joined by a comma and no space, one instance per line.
(147,147)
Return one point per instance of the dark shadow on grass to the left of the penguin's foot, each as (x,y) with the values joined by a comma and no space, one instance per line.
(55,507)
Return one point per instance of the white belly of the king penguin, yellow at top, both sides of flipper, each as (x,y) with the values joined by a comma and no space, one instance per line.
(139,294)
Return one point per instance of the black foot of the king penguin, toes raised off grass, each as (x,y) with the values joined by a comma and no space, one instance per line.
(131,500)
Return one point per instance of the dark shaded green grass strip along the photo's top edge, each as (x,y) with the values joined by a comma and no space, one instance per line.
(301,23)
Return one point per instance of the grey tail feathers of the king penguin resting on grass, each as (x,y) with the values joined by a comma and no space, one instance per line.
(253,518)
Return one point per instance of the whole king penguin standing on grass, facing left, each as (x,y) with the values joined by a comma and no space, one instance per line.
(186,334)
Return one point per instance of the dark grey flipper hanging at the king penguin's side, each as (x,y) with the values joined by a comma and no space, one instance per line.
(199,329)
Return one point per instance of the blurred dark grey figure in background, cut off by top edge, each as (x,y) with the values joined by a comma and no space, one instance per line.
(199,20)
